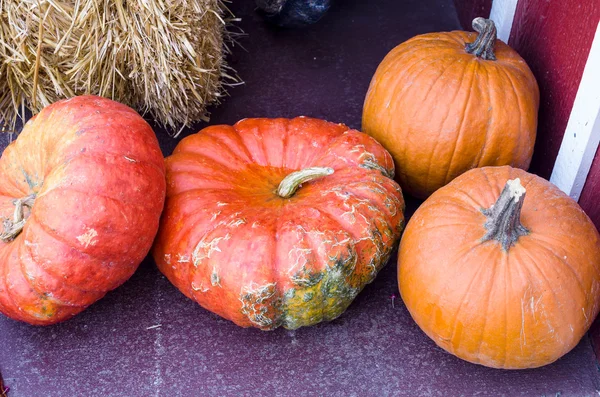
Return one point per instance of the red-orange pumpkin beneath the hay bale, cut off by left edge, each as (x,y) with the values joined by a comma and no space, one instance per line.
(81,192)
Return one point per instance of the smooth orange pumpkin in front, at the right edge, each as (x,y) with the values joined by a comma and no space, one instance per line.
(501,268)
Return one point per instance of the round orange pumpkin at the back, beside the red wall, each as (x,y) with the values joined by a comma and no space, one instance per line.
(444,103)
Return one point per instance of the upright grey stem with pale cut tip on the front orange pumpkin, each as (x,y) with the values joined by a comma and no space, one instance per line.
(503,218)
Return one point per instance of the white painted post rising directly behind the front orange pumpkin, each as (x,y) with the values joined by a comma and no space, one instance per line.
(582,135)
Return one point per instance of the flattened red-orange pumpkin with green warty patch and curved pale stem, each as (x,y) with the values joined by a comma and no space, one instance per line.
(277,222)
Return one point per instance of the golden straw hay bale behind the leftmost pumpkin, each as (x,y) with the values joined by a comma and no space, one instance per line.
(161,57)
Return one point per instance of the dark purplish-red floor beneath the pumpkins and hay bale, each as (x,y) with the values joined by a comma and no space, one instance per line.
(146,339)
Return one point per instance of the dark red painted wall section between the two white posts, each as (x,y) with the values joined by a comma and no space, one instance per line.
(554,37)
